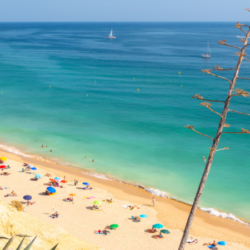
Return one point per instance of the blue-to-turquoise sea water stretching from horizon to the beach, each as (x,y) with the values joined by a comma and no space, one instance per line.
(123,103)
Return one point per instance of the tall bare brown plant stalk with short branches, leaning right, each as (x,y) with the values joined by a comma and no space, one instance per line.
(222,124)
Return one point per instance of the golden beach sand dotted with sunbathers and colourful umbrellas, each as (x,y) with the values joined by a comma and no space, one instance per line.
(80,221)
